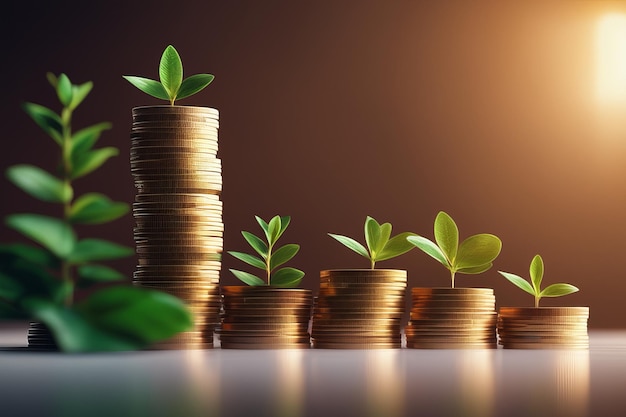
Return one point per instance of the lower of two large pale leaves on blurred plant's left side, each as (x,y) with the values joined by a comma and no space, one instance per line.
(51,233)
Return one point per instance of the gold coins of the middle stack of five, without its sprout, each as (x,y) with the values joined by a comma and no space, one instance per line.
(359,309)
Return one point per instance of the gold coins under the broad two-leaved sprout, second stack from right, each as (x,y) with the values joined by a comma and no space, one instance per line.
(452,318)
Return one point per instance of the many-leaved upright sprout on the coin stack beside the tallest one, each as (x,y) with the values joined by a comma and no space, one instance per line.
(270,256)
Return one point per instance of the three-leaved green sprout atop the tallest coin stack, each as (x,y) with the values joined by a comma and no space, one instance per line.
(171,86)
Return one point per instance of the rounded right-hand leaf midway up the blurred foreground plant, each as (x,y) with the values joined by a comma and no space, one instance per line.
(96,208)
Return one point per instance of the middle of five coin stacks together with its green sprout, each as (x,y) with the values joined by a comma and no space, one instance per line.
(363,308)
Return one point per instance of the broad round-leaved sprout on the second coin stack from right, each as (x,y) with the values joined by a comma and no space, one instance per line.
(473,256)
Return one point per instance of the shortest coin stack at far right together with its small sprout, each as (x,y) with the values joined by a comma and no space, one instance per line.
(542,327)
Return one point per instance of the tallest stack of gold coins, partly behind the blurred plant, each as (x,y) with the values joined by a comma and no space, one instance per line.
(178,212)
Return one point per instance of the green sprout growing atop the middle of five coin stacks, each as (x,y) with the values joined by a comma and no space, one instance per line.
(380,245)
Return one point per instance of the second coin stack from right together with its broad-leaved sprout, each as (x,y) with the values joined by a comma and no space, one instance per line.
(454,317)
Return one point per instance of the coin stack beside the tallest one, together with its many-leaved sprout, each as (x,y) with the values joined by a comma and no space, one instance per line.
(267,313)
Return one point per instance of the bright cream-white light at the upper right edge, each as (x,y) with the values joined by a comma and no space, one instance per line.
(611,81)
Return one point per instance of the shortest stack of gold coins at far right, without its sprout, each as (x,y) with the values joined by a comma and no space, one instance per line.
(543,327)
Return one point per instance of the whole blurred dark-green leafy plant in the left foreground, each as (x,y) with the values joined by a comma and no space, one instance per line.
(38,282)
